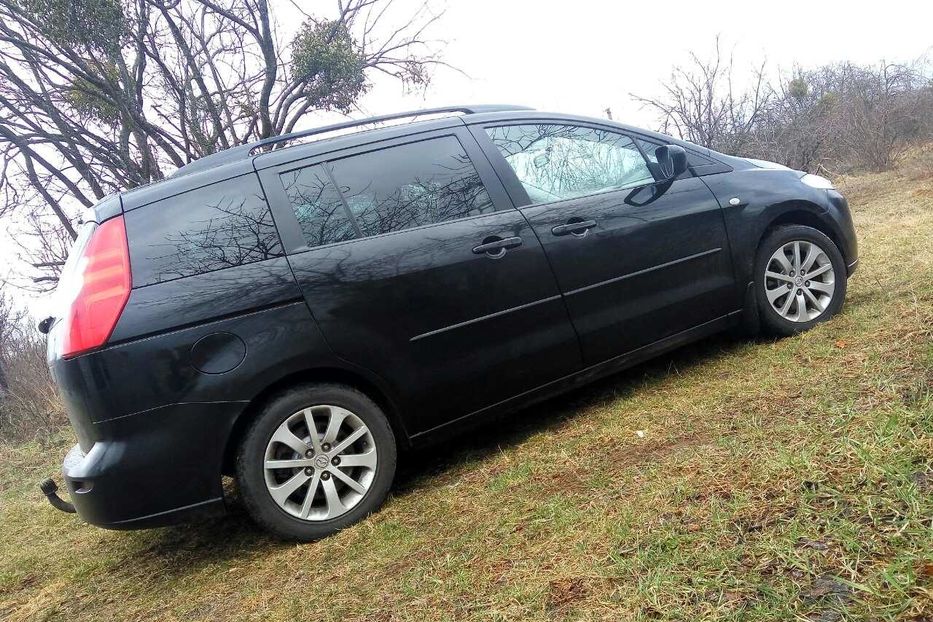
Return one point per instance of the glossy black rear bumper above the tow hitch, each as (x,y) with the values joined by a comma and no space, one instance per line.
(152,469)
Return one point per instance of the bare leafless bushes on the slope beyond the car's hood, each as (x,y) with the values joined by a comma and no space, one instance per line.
(835,118)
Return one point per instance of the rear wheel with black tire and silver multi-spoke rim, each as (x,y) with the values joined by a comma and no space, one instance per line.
(276,496)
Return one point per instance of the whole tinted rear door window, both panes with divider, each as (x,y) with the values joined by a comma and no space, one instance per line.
(391,189)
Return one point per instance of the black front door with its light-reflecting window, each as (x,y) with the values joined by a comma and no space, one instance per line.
(636,262)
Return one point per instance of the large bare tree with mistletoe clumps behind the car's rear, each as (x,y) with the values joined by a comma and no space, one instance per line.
(102,95)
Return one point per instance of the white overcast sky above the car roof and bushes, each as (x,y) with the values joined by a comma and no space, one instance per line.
(583,56)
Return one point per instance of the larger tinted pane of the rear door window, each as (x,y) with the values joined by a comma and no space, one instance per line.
(411,185)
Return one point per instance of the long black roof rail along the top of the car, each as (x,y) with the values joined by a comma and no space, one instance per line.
(241,151)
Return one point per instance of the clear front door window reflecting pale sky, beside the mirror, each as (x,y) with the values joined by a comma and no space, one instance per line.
(555,161)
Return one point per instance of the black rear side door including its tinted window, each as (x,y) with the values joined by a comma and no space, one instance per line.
(417,267)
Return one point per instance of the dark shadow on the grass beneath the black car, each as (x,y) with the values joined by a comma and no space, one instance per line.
(233,539)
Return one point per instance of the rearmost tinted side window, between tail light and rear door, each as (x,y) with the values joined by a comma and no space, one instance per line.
(223,225)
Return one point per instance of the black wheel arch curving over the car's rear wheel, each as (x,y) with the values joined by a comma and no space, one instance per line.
(333,375)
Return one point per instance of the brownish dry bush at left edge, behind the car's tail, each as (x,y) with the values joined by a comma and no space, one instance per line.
(29,405)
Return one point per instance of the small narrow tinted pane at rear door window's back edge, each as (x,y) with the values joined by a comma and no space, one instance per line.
(321,214)
